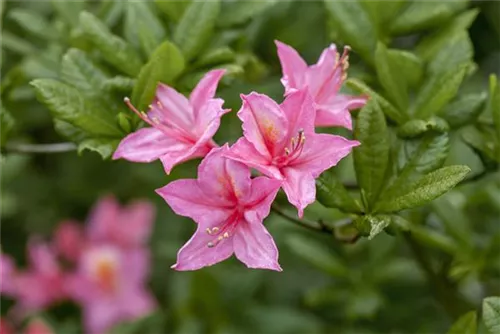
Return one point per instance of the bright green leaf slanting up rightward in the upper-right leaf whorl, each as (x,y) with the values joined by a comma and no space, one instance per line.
(438,91)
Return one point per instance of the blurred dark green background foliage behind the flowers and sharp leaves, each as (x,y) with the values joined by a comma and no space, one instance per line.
(327,285)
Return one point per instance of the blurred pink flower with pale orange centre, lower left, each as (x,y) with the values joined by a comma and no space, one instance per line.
(110,286)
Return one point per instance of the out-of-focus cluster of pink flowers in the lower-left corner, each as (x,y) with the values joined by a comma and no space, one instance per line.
(102,267)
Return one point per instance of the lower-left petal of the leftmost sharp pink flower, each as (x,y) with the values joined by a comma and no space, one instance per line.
(146,145)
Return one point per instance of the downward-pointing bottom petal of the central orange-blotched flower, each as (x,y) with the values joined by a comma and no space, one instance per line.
(299,187)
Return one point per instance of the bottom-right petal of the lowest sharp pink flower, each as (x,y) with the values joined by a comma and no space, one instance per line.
(255,247)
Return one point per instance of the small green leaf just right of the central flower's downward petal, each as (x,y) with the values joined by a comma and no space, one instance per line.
(331,193)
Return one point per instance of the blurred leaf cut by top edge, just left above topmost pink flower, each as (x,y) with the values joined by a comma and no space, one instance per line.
(238,12)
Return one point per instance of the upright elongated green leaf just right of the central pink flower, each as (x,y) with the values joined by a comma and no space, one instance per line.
(372,156)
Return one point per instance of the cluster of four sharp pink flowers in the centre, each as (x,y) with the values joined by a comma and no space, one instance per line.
(279,141)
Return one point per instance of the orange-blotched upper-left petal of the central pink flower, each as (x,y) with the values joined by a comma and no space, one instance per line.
(264,124)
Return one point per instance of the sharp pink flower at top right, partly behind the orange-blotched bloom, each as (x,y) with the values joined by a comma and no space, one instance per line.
(323,81)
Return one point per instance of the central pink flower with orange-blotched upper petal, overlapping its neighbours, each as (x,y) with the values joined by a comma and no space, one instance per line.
(279,141)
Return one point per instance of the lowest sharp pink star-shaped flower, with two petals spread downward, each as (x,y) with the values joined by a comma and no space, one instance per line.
(229,208)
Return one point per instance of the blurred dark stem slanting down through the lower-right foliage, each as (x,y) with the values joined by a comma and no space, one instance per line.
(442,289)
